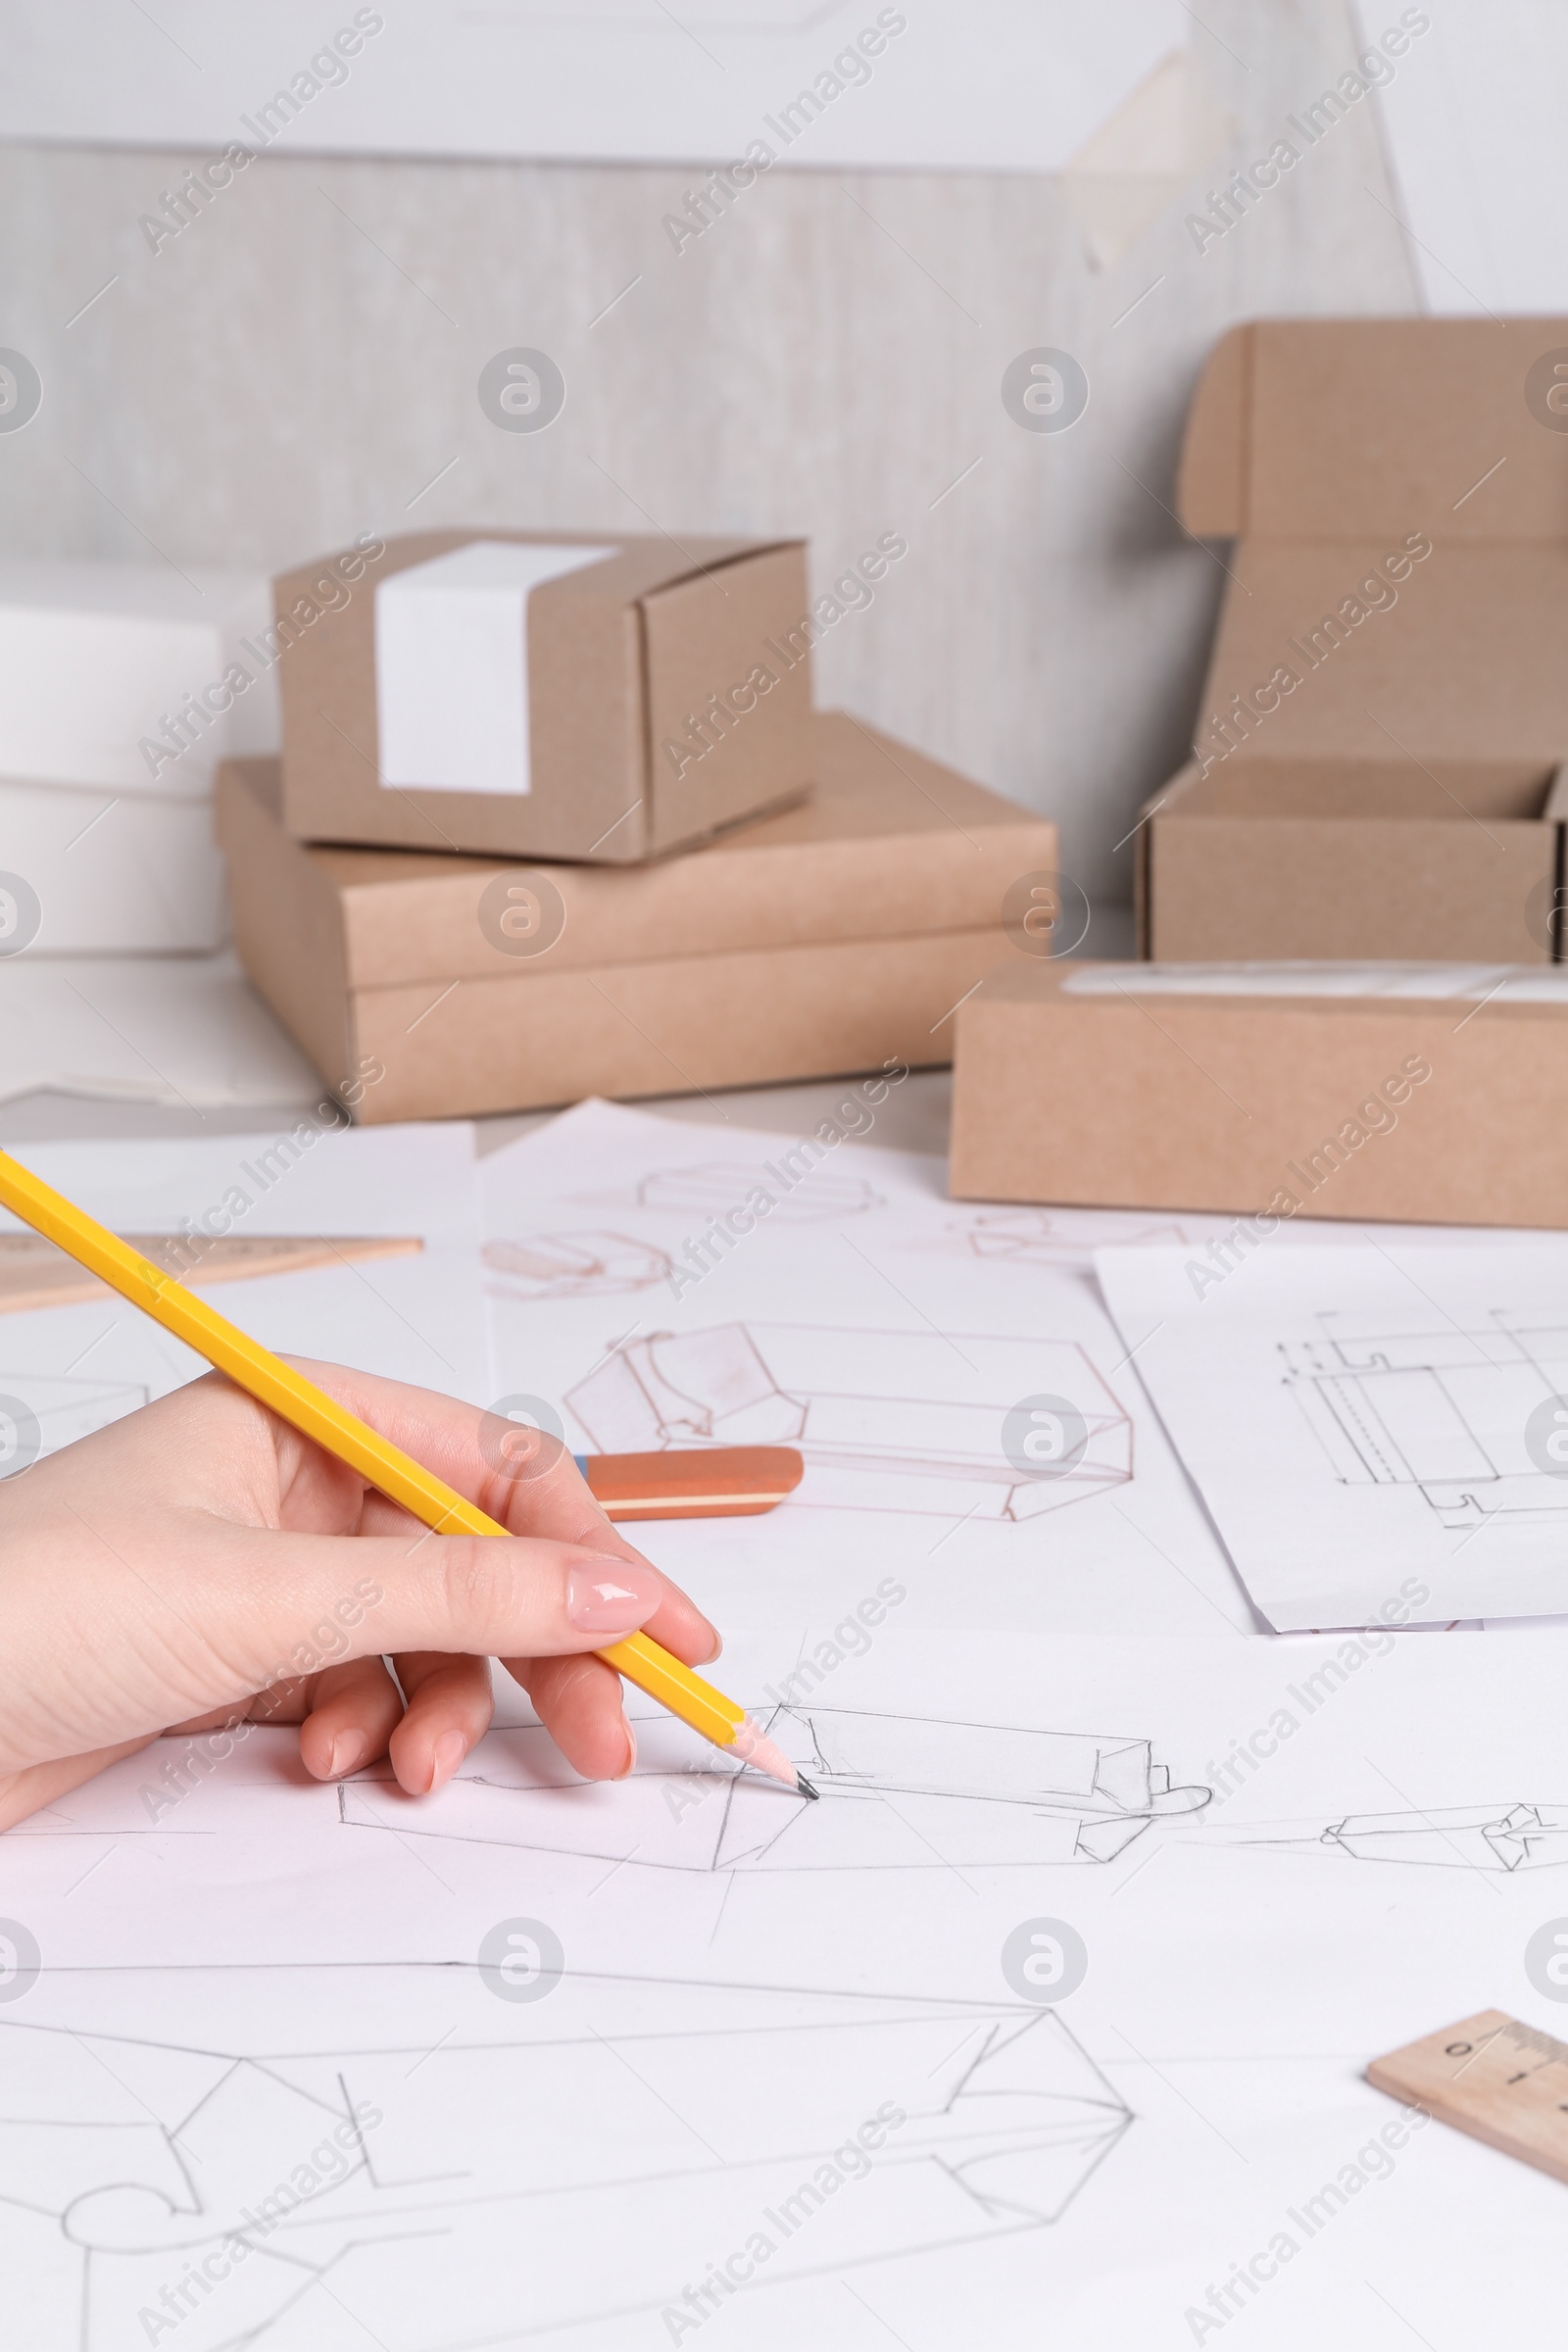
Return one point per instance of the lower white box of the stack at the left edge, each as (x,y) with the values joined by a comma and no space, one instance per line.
(107,874)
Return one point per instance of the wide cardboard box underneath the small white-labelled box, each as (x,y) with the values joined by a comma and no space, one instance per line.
(810,944)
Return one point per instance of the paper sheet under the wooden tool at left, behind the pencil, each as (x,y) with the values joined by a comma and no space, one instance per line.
(413,1318)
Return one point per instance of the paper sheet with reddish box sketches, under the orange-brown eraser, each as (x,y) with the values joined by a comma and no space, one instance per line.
(878,1325)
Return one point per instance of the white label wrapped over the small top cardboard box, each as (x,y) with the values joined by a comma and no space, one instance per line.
(453,664)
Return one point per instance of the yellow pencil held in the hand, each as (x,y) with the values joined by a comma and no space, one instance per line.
(333,1426)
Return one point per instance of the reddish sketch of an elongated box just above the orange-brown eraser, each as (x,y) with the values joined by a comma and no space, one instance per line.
(885,1419)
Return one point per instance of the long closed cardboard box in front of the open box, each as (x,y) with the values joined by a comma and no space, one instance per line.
(1130,1085)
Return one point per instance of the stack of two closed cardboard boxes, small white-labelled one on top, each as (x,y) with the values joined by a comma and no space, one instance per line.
(735,890)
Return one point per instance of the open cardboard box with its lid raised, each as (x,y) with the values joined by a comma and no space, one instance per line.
(1388,704)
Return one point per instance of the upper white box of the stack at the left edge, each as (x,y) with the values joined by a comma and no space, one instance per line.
(114,674)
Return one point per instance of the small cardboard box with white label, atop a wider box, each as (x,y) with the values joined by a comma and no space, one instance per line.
(544,695)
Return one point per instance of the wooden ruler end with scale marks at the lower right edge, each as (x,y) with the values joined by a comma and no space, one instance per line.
(1494,2078)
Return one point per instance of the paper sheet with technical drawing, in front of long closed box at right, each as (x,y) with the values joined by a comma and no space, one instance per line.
(1367,1422)
